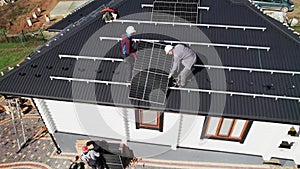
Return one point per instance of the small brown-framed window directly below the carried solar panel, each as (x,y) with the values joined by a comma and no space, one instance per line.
(149,119)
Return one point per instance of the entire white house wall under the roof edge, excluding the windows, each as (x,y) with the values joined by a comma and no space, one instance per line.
(119,123)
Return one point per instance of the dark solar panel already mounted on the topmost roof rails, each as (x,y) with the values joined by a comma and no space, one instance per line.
(175,12)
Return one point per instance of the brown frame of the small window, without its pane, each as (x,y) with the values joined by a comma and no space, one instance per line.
(140,125)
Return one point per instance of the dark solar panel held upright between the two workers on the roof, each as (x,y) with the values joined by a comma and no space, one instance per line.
(150,73)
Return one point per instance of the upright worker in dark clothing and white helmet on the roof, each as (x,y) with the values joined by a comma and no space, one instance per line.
(128,50)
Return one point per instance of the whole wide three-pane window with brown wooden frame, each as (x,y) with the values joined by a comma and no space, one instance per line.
(226,129)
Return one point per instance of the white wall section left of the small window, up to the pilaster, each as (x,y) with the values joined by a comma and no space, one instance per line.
(87,119)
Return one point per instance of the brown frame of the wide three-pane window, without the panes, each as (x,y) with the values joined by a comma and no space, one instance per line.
(240,139)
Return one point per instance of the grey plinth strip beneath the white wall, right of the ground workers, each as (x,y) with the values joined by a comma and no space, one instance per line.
(184,154)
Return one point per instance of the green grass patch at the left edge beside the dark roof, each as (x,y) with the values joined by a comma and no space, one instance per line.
(13,53)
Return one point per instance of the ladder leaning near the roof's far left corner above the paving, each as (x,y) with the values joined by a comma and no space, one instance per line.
(17,121)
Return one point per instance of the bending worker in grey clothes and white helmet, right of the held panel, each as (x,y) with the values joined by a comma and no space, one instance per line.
(184,55)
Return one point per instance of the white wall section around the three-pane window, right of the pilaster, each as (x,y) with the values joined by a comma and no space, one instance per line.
(263,139)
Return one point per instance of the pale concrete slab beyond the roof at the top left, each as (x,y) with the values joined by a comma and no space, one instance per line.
(64,8)
